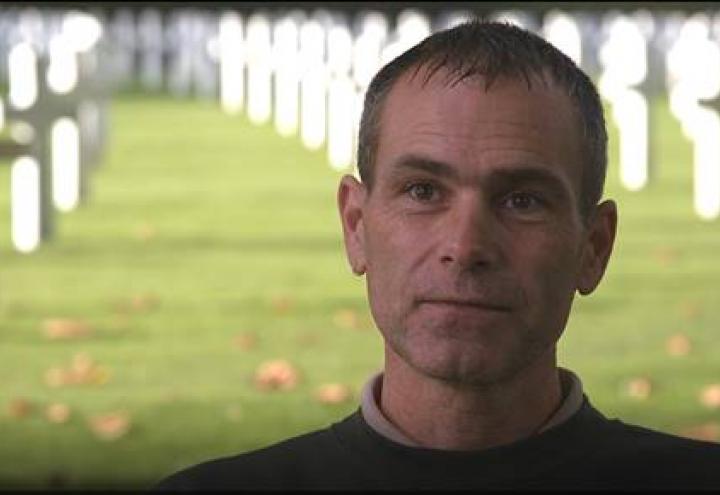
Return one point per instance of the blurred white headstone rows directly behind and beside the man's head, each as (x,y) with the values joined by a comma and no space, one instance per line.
(308,73)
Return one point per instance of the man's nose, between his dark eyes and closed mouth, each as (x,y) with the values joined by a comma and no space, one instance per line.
(471,236)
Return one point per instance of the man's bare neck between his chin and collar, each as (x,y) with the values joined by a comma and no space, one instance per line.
(440,415)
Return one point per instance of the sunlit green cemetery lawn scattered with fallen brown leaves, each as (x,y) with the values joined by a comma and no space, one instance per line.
(133,344)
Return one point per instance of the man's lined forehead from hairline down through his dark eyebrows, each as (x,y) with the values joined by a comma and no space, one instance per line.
(508,126)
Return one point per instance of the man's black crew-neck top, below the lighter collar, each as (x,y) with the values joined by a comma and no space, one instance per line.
(585,452)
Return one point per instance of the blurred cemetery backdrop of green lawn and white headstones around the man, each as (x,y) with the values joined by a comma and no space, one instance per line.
(173,285)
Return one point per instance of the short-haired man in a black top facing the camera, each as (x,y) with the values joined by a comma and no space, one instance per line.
(482,159)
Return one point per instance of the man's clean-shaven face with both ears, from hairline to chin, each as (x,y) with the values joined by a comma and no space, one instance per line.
(471,237)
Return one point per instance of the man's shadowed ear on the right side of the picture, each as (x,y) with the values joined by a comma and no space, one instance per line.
(598,247)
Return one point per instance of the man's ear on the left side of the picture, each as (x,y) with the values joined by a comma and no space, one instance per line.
(351,197)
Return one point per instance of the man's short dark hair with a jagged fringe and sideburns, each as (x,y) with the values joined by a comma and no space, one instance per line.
(492,50)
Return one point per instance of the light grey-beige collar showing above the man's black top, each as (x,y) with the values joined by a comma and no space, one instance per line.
(572,400)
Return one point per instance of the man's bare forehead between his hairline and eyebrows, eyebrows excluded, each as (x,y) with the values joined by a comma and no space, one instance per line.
(466,110)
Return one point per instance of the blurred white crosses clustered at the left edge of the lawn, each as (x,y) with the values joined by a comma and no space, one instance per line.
(55,111)
